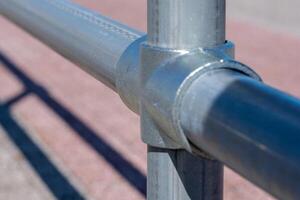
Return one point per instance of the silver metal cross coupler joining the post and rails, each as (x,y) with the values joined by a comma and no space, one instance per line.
(154,85)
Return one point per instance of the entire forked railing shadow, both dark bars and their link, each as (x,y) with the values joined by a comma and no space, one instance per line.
(35,156)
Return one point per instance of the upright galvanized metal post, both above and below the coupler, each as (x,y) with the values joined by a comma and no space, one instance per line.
(184,24)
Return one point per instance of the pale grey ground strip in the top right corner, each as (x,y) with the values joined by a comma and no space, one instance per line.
(282,16)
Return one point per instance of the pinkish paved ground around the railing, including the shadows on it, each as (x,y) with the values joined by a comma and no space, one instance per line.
(65,136)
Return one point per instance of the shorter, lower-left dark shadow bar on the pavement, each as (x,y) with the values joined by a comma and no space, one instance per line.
(55,181)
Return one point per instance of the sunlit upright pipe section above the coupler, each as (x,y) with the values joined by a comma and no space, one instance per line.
(186,24)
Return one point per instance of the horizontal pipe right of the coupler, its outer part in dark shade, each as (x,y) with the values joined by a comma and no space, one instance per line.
(252,128)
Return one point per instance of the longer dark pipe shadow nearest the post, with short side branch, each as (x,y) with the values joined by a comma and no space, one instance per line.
(129,172)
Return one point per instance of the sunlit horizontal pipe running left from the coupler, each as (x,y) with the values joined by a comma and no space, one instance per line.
(92,41)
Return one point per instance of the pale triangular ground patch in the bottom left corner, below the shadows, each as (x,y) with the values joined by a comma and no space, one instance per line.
(17,178)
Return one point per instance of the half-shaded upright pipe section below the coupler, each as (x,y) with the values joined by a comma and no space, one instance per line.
(177,174)
